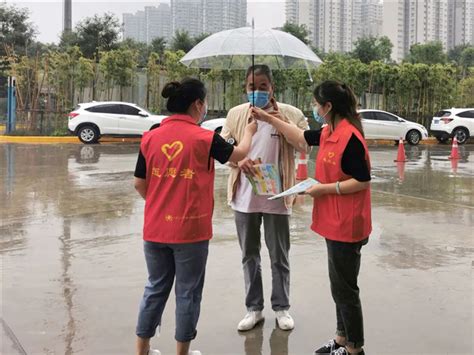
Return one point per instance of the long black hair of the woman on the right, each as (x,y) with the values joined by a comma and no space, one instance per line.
(343,100)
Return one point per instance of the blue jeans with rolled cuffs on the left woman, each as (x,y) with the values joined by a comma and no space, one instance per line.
(186,262)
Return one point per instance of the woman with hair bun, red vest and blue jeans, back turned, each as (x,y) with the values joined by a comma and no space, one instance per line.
(175,176)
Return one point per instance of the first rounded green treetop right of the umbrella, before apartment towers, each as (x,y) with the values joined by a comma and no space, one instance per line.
(369,49)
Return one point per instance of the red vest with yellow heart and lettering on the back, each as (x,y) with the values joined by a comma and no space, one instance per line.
(180,182)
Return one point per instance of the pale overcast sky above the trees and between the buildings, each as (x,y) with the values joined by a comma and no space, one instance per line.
(47,15)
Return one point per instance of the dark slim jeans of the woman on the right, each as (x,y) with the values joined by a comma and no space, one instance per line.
(344,266)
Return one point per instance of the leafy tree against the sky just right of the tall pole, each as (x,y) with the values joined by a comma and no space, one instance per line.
(97,34)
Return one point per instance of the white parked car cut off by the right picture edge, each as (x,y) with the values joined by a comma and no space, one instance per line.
(454,122)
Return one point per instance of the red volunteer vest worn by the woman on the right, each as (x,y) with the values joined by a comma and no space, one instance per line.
(345,218)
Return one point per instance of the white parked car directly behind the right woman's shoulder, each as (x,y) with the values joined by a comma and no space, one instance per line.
(385,125)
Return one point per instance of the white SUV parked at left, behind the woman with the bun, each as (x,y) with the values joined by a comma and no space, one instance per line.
(90,121)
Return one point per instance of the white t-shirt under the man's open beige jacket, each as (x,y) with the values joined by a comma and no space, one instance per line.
(266,146)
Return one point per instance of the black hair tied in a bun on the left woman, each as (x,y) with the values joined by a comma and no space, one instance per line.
(182,94)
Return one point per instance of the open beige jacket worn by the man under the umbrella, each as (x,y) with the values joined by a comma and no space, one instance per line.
(234,127)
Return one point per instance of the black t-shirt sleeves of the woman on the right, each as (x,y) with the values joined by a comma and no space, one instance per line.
(353,161)
